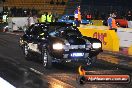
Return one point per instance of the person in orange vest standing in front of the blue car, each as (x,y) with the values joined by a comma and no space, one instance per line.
(77,16)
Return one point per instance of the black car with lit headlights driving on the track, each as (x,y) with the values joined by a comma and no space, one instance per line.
(59,42)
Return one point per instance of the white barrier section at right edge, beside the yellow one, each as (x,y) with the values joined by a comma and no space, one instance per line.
(125,36)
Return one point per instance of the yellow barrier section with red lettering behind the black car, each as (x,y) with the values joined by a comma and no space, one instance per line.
(109,38)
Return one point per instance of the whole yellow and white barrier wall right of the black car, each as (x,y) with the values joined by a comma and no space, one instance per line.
(111,40)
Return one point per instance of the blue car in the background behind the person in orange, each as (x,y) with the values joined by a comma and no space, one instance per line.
(70,19)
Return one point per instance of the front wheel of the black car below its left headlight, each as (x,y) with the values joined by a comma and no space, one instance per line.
(47,59)
